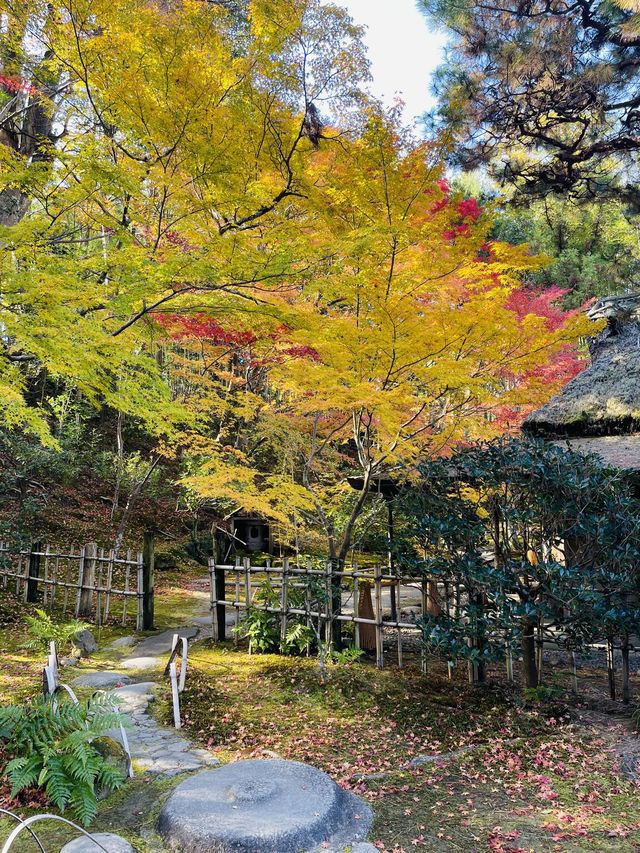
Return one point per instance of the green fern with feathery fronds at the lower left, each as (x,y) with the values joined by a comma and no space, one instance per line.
(54,751)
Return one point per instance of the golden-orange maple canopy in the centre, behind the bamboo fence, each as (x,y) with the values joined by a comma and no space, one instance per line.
(408,340)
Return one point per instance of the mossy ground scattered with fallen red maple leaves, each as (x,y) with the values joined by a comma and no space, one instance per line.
(503,775)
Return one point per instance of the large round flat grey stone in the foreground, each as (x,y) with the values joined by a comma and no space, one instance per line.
(261,806)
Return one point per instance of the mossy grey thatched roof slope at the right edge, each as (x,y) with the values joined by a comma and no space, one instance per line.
(602,400)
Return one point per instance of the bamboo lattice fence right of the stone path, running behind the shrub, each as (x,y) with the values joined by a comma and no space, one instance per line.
(306,594)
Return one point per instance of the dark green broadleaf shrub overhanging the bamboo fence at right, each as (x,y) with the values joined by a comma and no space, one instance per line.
(531,533)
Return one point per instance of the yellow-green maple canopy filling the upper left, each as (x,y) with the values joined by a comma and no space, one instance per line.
(150,156)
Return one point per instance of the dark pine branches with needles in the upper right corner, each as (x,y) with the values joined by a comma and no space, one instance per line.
(545,93)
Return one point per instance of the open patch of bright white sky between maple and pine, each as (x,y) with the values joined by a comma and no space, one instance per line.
(403,51)
